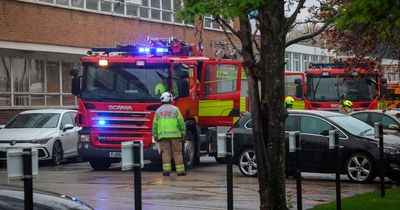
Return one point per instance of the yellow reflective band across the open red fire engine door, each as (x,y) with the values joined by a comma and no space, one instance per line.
(215,108)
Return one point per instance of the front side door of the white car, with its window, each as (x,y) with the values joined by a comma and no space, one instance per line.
(68,137)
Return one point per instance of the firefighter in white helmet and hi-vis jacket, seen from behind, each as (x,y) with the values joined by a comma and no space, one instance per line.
(169,130)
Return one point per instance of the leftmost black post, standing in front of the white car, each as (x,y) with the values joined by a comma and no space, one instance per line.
(28,186)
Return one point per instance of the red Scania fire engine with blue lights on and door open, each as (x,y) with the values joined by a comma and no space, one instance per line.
(119,92)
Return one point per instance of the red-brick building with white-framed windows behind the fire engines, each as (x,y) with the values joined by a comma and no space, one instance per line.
(41,40)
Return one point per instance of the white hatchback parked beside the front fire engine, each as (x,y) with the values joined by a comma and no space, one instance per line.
(52,131)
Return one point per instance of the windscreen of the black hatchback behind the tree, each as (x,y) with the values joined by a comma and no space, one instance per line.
(353,125)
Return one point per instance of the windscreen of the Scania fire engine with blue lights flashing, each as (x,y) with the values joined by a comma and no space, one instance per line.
(125,82)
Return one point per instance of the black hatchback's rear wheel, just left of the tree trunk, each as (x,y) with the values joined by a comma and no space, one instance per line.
(247,162)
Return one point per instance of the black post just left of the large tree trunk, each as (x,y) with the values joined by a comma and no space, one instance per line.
(229,171)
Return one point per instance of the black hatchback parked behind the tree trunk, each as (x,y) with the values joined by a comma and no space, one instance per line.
(360,153)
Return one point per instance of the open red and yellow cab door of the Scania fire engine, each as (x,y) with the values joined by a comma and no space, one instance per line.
(219,103)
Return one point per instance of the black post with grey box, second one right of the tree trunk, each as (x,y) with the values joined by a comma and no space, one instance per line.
(334,144)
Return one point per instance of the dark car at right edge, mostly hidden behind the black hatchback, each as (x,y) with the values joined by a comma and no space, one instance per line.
(389,119)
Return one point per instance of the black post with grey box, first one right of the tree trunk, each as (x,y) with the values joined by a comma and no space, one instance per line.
(295,146)
